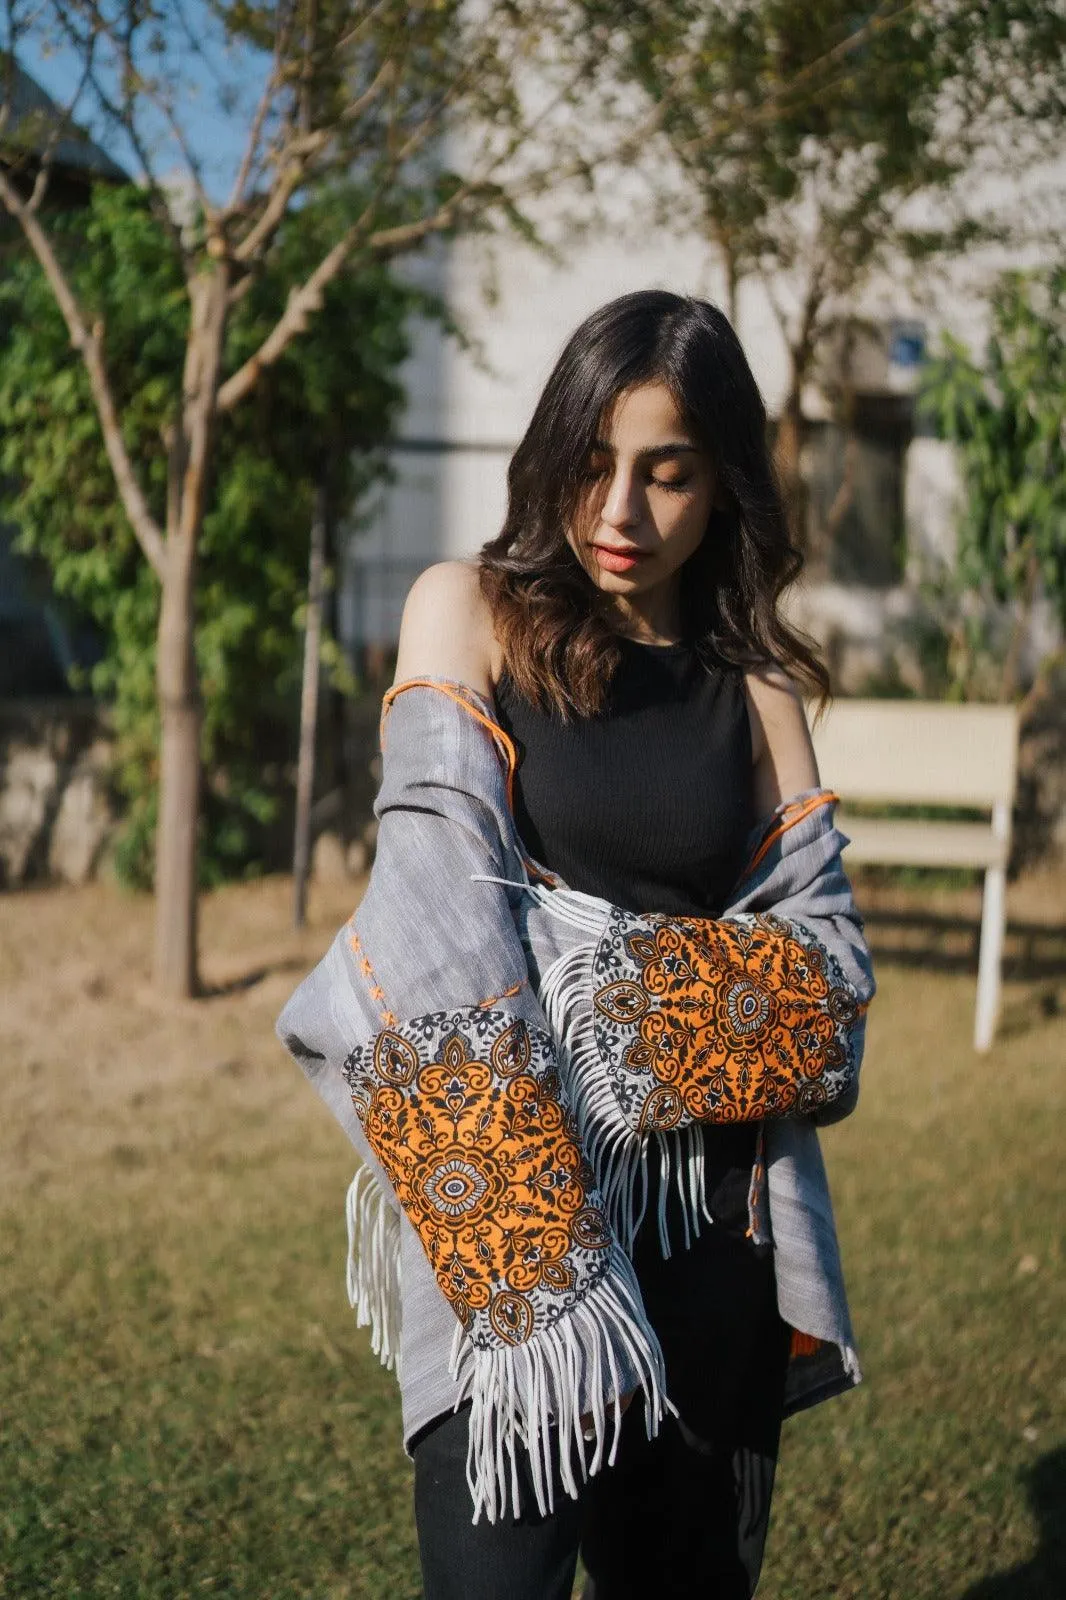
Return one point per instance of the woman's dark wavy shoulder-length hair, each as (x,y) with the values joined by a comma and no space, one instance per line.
(547,610)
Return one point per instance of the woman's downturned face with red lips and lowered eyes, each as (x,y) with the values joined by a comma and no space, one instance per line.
(651,492)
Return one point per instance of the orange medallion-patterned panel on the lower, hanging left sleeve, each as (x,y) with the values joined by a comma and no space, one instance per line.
(463,1111)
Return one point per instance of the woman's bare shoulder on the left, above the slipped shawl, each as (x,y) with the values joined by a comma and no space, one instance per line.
(447,630)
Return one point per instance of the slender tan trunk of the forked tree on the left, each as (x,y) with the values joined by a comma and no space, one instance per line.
(177,679)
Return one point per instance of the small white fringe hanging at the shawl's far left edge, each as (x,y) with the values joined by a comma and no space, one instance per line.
(374,1265)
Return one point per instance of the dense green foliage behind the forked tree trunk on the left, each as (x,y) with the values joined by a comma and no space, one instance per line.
(331,399)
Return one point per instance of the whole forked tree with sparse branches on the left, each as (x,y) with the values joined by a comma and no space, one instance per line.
(409,113)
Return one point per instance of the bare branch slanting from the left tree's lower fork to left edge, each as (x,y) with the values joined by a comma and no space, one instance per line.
(89,343)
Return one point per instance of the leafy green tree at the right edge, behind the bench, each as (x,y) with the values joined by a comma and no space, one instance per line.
(1008,420)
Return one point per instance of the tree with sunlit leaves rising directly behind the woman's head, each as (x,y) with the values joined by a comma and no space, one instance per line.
(820,142)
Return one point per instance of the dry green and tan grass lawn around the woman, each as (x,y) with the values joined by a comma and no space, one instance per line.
(188,1410)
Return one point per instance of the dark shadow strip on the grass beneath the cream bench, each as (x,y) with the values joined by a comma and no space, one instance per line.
(937,942)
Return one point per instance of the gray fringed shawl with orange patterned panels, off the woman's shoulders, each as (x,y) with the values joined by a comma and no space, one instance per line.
(508,1055)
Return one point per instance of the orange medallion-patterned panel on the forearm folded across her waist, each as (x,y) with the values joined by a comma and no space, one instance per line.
(719,1022)
